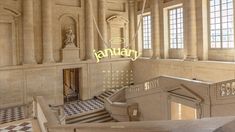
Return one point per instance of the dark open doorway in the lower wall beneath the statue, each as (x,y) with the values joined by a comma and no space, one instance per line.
(71,84)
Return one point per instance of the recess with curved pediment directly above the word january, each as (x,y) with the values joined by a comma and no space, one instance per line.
(118,31)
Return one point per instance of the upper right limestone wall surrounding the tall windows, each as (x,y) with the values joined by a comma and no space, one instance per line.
(196,31)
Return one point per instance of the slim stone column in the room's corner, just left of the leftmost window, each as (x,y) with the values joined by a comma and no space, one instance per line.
(131,24)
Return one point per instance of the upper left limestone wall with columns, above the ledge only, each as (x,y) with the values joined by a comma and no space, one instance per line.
(33,31)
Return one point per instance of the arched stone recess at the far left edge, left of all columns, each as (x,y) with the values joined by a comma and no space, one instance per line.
(9,42)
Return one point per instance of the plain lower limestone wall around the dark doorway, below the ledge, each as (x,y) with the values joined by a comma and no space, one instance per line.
(20,83)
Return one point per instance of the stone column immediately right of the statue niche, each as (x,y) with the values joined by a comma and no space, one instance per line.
(89,32)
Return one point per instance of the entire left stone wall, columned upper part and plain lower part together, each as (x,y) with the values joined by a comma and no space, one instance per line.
(33,53)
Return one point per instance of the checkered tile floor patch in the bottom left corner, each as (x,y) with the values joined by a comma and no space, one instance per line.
(22,127)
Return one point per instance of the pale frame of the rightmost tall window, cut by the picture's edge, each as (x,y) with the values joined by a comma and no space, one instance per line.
(209,27)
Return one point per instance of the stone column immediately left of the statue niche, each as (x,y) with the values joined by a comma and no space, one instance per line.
(47,31)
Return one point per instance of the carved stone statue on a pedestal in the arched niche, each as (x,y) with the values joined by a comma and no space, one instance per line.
(69,40)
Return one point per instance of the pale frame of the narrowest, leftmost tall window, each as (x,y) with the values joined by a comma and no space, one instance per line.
(142,25)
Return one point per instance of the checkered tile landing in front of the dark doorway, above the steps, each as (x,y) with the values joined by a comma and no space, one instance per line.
(82,106)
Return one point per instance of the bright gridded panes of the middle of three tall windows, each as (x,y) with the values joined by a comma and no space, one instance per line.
(176,28)
